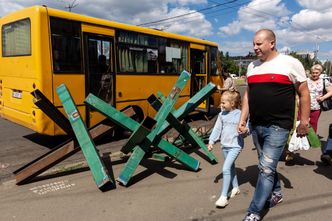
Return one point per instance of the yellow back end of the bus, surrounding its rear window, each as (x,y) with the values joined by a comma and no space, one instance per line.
(23,74)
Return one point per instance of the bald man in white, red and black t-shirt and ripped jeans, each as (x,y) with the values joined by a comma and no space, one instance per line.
(269,102)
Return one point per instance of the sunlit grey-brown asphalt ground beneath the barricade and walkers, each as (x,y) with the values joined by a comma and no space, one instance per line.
(159,190)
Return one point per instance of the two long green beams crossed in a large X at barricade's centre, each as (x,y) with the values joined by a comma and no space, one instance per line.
(142,148)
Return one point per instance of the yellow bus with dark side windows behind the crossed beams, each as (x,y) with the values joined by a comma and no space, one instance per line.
(122,64)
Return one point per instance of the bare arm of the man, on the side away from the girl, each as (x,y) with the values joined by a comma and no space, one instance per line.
(304,98)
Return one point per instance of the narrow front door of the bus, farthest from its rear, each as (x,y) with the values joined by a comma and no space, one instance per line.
(198,67)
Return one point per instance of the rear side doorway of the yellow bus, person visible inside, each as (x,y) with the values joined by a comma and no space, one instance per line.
(99,72)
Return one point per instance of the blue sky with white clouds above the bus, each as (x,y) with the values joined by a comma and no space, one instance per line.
(300,25)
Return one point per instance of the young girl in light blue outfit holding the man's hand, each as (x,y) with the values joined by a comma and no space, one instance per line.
(226,129)
